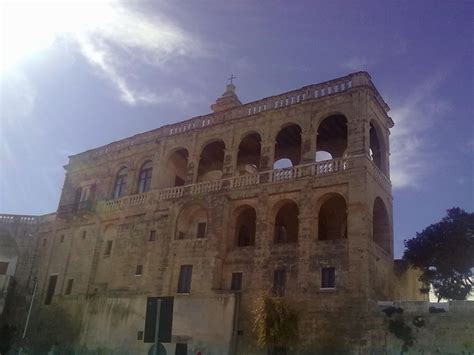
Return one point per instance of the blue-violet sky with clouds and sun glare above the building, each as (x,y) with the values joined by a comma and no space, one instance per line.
(74,76)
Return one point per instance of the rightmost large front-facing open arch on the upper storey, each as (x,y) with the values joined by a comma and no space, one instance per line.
(332,136)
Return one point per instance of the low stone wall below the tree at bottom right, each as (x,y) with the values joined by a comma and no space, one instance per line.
(422,328)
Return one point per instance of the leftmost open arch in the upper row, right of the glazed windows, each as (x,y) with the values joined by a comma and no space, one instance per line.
(176,168)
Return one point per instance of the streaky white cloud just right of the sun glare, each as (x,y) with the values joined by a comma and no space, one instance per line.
(129,40)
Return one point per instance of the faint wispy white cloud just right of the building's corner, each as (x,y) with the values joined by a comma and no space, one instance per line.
(410,145)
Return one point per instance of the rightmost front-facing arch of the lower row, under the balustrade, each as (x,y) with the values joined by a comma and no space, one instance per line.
(332,217)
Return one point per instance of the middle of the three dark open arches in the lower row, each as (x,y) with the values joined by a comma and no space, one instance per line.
(286,223)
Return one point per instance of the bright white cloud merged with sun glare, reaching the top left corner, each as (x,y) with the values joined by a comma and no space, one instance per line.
(114,39)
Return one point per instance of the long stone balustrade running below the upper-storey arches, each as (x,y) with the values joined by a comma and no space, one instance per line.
(276,175)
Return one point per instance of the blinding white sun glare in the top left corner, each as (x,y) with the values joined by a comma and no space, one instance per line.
(28,28)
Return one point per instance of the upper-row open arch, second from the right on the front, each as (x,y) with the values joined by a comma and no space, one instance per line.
(288,143)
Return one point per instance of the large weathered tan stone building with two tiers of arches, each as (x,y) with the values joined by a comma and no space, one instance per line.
(203,211)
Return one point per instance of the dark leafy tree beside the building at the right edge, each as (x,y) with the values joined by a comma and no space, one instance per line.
(444,252)
